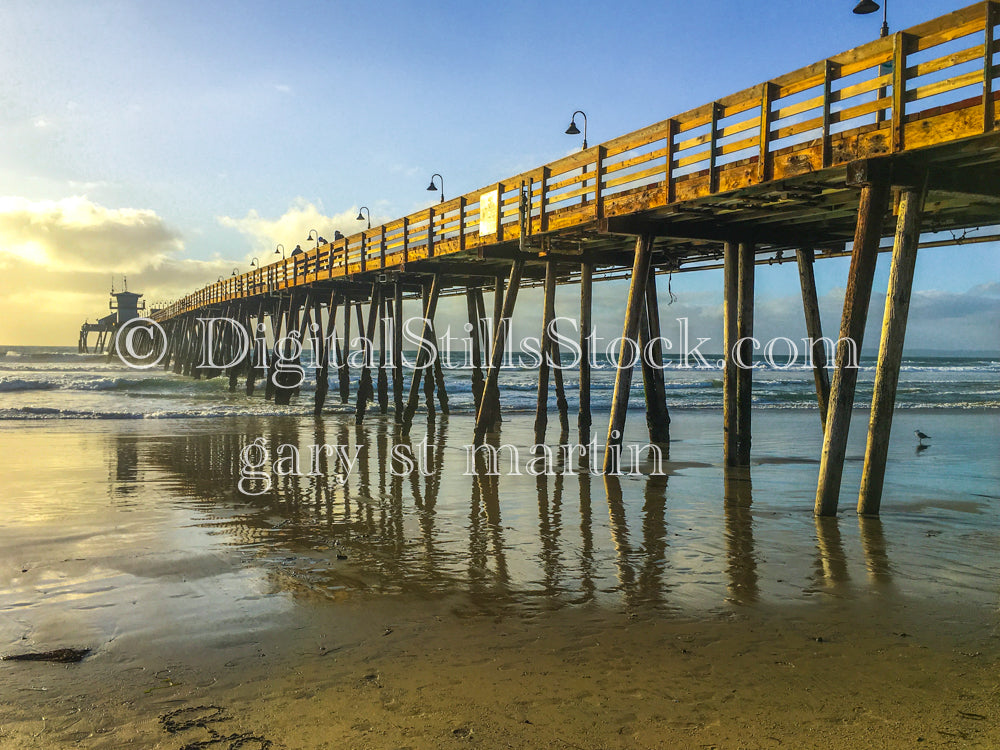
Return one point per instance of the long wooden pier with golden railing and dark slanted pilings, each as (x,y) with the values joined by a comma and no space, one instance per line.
(894,135)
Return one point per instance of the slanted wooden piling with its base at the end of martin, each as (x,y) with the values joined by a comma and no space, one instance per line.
(623,374)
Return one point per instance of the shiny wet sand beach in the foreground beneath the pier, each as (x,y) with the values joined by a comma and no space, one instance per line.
(452,610)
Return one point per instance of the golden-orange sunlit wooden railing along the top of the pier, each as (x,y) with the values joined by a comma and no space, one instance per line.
(928,85)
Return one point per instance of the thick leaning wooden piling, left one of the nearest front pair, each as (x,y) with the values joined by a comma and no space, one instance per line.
(868,231)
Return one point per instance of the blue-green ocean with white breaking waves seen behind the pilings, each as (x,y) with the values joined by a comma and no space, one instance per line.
(58,383)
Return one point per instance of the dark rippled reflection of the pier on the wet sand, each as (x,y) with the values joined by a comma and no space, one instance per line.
(402,530)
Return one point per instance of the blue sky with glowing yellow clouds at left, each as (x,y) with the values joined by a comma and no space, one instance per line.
(173,142)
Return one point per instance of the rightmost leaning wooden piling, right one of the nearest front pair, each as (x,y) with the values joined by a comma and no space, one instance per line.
(890,352)
